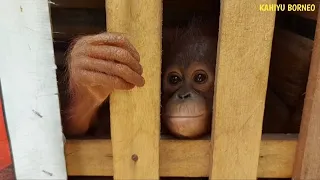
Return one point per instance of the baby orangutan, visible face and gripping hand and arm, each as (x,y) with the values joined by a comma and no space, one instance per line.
(99,64)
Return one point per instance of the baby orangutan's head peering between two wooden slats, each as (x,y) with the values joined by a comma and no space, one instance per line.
(188,84)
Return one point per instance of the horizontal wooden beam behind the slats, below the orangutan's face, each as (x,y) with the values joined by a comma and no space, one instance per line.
(180,158)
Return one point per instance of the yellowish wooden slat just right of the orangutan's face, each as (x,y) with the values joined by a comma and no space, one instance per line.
(244,49)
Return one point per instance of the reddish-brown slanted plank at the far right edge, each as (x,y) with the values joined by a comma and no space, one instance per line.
(307,162)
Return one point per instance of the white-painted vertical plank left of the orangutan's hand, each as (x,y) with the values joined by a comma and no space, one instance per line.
(30,93)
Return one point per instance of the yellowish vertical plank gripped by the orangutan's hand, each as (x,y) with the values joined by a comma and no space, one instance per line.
(135,115)
